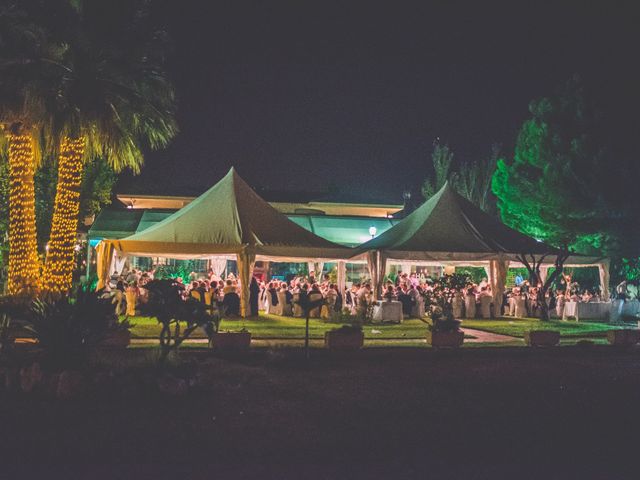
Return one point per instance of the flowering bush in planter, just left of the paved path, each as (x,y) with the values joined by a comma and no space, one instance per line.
(444,330)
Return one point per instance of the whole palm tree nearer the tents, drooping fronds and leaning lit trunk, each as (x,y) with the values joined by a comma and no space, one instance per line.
(114,100)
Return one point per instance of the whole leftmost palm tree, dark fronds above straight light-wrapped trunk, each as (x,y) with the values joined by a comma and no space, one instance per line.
(24,73)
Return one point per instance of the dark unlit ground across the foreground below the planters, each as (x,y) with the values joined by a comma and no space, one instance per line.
(481,413)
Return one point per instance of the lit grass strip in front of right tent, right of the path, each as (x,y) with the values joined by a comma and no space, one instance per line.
(517,326)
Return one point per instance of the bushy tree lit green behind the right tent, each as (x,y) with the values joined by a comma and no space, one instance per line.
(552,187)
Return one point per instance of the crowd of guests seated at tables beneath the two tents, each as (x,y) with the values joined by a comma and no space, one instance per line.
(128,293)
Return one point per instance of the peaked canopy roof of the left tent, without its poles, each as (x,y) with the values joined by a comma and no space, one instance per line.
(226,219)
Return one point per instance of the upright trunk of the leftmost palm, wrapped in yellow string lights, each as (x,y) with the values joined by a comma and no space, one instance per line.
(24,265)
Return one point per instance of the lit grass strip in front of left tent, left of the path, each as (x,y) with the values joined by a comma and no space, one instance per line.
(274,326)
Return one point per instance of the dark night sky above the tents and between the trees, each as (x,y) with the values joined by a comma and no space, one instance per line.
(348,97)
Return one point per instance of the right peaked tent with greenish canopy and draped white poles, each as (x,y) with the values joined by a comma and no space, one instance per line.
(449,230)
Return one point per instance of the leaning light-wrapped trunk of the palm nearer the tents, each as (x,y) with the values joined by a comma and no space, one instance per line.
(64,224)
